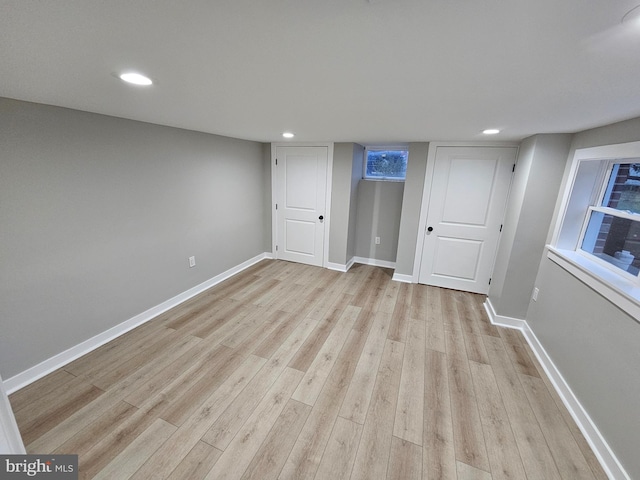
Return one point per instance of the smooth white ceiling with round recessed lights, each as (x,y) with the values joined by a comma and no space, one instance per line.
(331,70)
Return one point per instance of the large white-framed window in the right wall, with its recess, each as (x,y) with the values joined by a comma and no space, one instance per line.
(597,236)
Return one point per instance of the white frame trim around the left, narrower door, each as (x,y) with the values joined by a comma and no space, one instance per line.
(327,207)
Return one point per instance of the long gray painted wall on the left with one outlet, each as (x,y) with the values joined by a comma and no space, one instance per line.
(100,214)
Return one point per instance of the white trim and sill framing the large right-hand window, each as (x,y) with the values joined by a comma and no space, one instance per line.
(621,289)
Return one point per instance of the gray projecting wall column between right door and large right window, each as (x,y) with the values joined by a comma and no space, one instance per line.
(534,190)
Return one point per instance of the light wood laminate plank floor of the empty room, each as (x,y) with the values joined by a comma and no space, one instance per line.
(287,371)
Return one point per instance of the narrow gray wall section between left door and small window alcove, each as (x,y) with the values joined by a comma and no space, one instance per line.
(345,177)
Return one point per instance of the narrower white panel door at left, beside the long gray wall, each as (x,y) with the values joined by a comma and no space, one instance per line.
(301,184)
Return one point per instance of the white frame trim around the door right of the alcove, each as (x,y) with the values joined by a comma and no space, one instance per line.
(426,191)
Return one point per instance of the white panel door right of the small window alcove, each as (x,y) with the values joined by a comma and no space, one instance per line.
(469,190)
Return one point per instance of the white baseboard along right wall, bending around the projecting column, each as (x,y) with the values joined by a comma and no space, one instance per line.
(596,441)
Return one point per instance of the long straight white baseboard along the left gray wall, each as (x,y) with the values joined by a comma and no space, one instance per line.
(34,373)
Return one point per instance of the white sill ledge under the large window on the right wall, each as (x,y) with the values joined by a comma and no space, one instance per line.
(618,290)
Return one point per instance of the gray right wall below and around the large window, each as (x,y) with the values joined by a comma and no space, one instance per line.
(593,343)
